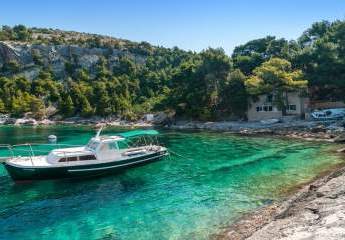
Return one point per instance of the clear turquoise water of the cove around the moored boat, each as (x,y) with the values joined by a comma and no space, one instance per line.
(224,177)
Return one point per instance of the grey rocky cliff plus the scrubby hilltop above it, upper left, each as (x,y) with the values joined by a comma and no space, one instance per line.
(56,49)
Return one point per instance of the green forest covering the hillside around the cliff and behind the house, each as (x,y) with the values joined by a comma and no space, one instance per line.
(208,85)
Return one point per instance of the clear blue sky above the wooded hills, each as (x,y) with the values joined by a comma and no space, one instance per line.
(187,24)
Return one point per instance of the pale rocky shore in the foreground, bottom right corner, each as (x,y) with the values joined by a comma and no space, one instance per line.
(313,212)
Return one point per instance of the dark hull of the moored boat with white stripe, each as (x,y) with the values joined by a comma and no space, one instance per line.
(75,171)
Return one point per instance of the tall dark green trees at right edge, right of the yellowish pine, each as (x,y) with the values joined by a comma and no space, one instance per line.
(322,59)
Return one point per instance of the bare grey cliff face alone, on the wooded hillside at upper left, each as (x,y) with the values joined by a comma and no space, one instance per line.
(32,57)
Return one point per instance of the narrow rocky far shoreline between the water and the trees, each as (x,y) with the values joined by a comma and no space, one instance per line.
(332,131)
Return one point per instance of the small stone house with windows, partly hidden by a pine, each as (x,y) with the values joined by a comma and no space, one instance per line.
(263,108)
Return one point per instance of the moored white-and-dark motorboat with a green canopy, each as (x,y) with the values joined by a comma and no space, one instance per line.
(102,155)
